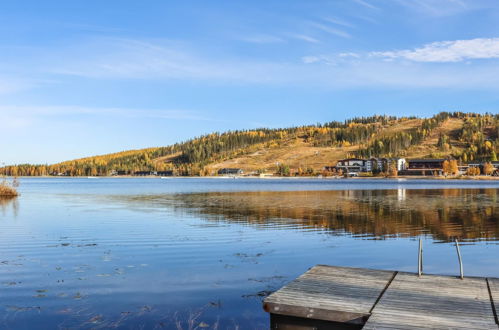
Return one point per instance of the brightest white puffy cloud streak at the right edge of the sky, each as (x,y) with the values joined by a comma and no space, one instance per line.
(448,51)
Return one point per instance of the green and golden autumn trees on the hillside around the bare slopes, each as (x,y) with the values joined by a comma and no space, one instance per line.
(479,135)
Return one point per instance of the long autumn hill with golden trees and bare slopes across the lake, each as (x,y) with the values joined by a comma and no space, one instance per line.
(464,136)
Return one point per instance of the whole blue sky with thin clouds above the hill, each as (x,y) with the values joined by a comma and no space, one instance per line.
(80,78)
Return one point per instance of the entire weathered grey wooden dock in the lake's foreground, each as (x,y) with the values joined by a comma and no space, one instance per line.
(328,297)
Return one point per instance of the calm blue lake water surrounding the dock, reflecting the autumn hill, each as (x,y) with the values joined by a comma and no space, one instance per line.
(186,253)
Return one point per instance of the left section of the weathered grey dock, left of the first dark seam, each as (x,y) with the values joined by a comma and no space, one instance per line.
(329,293)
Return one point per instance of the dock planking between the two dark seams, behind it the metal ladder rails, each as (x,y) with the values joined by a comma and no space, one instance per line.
(433,302)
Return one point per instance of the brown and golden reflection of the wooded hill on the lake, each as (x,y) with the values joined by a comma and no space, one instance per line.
(469,214)
